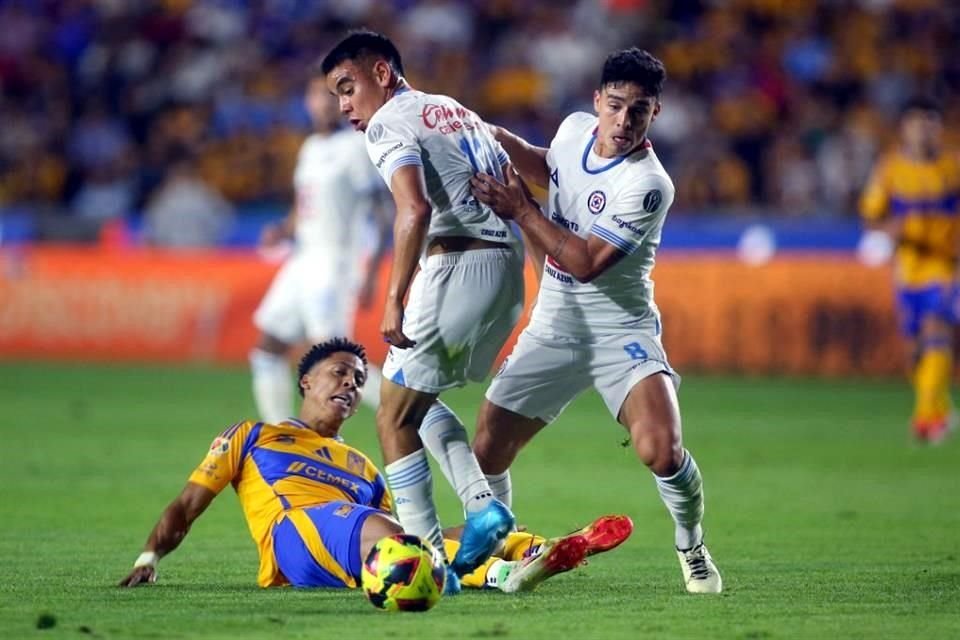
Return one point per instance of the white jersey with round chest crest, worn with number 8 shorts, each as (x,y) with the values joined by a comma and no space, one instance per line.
(623,201)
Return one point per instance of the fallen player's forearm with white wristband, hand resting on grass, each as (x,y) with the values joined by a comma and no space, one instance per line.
(169,532)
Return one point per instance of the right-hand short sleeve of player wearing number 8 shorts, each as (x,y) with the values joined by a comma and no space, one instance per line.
(626,221)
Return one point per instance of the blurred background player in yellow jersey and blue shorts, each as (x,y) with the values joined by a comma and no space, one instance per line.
(913,195)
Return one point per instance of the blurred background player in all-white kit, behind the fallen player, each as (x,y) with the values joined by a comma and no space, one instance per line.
(316,293)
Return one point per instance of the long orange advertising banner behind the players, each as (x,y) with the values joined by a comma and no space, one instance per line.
(816,314)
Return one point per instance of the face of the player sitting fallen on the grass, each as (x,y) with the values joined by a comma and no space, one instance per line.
(334,385)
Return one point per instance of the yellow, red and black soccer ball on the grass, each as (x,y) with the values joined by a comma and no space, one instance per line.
(403,573)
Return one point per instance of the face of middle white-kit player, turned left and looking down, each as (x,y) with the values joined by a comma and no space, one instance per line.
(362,86)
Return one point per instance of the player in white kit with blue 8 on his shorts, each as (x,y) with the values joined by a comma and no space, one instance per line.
(595,322)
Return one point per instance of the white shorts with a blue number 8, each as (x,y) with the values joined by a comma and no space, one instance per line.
(543,374)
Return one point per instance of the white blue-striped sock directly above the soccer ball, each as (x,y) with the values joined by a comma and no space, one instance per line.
(411,483)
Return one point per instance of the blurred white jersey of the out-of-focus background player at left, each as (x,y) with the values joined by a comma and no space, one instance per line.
(334,182)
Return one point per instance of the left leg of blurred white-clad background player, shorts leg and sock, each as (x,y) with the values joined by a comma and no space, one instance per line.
(278,320)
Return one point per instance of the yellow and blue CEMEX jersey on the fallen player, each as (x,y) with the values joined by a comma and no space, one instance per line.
(275,468)
